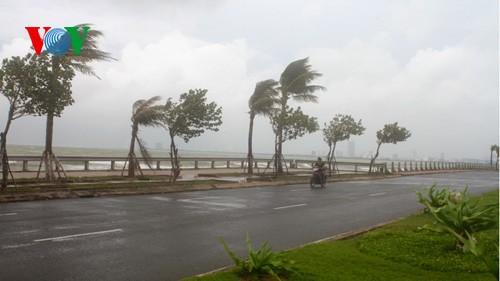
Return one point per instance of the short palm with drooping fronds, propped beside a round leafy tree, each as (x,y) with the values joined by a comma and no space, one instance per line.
(144,113)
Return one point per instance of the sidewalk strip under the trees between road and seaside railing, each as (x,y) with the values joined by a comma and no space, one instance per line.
(117,188)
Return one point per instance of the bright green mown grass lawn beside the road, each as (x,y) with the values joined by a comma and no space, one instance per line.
(395,252)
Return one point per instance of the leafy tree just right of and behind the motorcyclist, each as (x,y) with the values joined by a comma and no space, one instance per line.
(340,128)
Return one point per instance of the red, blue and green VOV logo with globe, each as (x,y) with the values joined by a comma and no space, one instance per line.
(57,40)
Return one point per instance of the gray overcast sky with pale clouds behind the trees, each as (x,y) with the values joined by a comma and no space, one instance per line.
(432,66)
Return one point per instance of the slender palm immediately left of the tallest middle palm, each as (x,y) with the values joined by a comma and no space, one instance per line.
(262,102)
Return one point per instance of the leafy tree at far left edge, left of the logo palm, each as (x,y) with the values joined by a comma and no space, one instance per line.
(15,83)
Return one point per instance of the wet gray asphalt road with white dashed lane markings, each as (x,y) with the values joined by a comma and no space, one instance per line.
(176,235)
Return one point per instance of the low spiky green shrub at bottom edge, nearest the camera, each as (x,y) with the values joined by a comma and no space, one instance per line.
(261,262)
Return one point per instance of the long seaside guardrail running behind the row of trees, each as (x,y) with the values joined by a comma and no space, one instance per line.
(84,163)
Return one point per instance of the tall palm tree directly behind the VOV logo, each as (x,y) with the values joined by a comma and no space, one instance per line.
(89,52)
